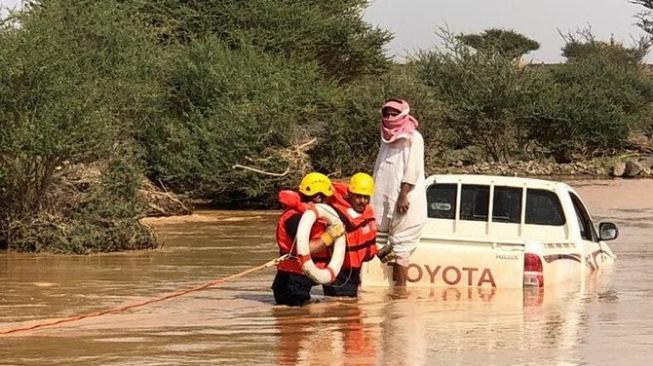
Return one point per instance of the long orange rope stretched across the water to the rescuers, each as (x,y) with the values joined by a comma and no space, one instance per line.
(120,309)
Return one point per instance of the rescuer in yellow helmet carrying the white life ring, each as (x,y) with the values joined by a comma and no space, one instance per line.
(291,286)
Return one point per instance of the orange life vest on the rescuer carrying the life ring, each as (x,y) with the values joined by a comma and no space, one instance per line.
(285,242)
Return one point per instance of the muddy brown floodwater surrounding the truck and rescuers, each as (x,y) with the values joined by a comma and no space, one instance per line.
(607,319)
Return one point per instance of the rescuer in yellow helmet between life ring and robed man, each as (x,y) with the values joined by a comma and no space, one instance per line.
(352,204)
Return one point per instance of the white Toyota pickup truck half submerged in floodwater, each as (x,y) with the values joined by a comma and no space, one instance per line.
(539,233)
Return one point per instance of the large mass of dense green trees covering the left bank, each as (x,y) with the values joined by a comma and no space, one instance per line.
(181,91)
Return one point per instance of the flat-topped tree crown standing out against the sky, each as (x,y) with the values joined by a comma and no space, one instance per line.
(504,42)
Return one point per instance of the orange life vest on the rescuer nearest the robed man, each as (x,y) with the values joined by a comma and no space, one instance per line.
(360,229)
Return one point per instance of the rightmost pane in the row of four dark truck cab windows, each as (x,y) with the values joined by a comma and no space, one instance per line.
(543,208)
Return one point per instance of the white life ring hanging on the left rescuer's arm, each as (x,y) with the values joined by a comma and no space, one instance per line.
(319,275)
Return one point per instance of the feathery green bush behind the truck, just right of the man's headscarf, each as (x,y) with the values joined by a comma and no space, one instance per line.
(484,94)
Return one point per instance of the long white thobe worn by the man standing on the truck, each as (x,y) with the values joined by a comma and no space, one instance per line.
(401,161)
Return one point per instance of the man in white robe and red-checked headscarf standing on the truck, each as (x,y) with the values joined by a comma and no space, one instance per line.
(399,199)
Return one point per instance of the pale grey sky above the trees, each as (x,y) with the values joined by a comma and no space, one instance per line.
(414,22)
